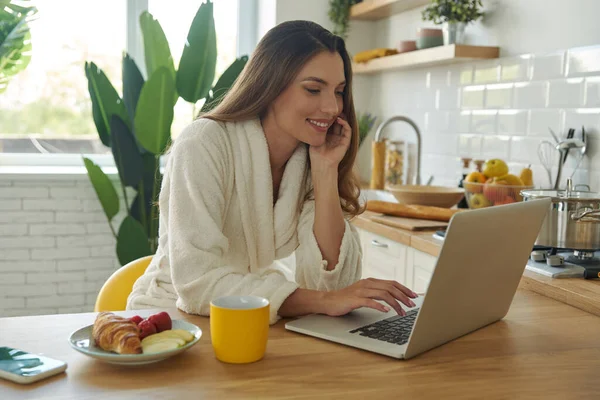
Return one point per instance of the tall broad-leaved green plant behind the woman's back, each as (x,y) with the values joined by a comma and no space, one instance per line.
(137,125)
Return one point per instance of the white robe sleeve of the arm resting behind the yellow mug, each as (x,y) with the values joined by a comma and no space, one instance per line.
(197,184)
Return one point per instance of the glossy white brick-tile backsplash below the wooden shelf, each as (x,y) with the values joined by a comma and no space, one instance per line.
(496,109)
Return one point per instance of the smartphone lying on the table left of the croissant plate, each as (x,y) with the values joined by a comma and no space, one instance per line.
(23,367)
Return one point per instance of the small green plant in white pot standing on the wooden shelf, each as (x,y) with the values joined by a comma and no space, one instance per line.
(454,15)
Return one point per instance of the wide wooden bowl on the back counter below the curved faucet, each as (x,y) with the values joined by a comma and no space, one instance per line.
(426,195)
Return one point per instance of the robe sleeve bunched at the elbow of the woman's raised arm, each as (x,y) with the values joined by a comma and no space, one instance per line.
(311,268)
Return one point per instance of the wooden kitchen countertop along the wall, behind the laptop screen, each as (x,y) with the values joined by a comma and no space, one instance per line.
(578,292)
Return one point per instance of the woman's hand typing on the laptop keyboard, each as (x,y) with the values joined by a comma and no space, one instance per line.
(364,293)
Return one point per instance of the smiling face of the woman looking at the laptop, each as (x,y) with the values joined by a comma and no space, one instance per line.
(306,109)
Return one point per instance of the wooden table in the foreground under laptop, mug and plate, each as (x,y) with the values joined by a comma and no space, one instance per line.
(542,349)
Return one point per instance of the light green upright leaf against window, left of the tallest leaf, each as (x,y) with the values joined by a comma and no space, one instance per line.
(157,52)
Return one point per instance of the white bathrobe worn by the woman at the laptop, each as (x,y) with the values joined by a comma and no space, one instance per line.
(219,232)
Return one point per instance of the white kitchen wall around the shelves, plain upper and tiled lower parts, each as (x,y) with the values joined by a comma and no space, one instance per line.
(504,123)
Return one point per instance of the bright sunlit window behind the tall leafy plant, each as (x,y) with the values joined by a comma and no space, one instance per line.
(46,108)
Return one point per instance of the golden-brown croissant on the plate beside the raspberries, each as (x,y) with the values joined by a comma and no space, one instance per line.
(117,334)
